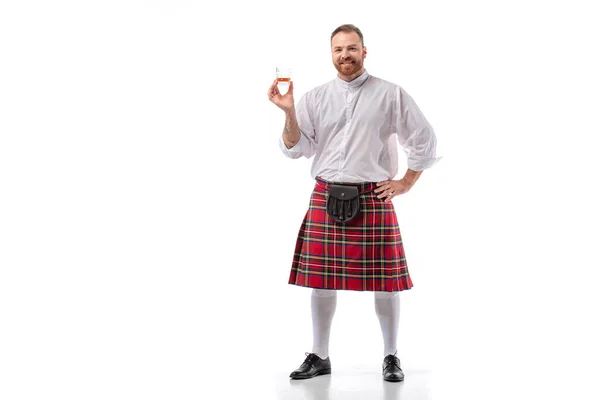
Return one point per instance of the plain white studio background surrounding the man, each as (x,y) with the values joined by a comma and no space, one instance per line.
(148,217)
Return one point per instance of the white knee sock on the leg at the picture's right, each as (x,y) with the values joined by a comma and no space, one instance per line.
(387,307)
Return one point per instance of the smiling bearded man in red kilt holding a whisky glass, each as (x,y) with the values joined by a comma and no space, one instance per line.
(351,125)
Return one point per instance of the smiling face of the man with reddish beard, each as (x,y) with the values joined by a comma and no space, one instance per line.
(348,54)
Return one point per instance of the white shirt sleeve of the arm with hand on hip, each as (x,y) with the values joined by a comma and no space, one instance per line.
(415,134)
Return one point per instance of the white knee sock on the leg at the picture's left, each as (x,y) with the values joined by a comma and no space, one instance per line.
(323,303)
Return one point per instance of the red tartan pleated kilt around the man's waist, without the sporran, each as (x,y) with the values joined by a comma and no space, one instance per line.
(365,255)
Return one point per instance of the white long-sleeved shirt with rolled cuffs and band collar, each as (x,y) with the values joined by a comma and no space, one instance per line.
(352,129)
